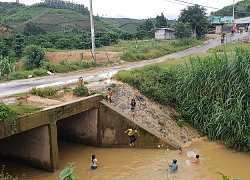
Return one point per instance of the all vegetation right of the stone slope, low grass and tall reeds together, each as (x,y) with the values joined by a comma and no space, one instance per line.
(210,92)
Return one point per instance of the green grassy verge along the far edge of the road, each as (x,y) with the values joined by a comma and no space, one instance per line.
(146,49)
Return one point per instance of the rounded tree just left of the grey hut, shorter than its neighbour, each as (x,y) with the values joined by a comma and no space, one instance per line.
(145,29)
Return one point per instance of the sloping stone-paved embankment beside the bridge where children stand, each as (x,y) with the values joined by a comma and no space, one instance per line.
(152,115)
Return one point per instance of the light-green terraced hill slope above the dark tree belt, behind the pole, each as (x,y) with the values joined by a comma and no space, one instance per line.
(51,17)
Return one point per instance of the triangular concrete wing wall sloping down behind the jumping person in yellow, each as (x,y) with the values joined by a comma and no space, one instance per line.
(112,125)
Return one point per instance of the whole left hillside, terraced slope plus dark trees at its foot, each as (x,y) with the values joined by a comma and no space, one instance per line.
(53,24)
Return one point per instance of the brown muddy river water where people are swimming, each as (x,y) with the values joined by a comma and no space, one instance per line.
(144,164)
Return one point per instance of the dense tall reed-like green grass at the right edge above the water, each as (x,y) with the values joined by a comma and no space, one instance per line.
(213,92)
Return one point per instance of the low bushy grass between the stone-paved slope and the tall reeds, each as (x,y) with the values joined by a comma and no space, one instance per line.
(154,81)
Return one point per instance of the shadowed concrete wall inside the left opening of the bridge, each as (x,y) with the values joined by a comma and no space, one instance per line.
(31,147)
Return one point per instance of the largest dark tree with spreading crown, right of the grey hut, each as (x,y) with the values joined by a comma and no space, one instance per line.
(196,17)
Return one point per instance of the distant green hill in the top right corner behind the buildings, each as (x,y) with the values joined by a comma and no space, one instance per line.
(241,9)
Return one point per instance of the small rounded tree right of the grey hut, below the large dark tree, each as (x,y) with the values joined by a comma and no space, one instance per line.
(182,30)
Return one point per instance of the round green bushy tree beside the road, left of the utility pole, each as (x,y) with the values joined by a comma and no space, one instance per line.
(34,57)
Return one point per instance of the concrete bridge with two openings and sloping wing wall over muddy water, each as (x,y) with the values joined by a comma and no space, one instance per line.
(89,121)
